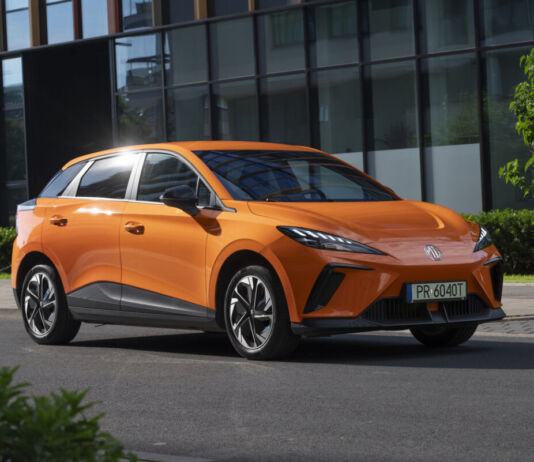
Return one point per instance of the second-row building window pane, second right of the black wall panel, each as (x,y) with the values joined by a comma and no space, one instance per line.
(186,55)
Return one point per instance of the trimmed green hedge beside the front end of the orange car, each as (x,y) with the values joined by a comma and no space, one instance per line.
(512,231)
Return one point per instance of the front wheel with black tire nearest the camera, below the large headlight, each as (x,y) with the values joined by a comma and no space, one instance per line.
(260,328)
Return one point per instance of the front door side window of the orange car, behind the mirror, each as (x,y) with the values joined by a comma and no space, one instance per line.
(162,172)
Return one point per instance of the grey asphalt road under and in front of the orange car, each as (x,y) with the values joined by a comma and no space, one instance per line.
(354,397)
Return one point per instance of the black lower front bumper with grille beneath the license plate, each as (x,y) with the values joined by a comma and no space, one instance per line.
(393,313)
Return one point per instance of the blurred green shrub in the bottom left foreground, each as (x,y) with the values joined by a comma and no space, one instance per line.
(51,428)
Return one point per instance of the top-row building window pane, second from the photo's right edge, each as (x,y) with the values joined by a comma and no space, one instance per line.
(446,25)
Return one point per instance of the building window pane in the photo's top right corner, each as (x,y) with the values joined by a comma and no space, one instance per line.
(504,21)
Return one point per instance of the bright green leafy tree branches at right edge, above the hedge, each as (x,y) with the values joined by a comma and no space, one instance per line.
(522,106)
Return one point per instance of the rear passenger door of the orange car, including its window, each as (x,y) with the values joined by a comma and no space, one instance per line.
(81,231)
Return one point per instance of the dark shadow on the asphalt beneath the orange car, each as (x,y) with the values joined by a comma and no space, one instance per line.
(356,349)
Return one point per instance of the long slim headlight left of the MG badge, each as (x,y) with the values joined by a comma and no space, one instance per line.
(325,241)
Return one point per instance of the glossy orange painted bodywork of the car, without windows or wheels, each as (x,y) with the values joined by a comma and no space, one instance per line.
(187,264)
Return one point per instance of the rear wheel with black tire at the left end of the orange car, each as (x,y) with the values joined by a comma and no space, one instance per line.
(44,308)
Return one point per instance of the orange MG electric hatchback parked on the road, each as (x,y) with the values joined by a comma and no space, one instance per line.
(268,242)
